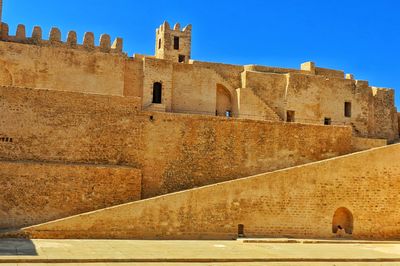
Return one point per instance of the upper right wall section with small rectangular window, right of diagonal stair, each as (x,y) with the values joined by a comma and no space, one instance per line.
(315,98)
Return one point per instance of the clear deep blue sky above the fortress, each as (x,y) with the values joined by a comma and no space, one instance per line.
(360,37)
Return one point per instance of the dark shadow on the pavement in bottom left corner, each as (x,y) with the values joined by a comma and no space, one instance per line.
(17,247)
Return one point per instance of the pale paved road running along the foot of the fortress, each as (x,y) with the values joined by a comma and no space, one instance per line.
(133,252)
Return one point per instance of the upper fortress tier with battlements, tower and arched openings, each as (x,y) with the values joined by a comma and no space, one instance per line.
(310,95)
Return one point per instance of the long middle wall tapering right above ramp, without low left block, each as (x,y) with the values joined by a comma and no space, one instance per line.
(173,151)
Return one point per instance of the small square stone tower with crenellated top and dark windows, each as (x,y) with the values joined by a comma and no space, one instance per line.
(174,44)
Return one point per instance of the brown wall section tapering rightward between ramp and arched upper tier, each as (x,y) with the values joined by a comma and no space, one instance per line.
(186,151)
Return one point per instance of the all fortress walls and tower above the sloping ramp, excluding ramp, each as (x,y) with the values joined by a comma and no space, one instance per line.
(163,120)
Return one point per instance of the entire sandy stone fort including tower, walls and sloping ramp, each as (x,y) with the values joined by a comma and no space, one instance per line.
(95,143)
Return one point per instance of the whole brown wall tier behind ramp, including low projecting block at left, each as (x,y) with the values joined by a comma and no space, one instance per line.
(173,152)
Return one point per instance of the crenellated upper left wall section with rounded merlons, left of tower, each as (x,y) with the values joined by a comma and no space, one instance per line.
(37,63)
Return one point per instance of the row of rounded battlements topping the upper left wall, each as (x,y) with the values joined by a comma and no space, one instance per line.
(55,39)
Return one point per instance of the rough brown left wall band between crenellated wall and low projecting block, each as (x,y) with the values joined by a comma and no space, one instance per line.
(69,127)
